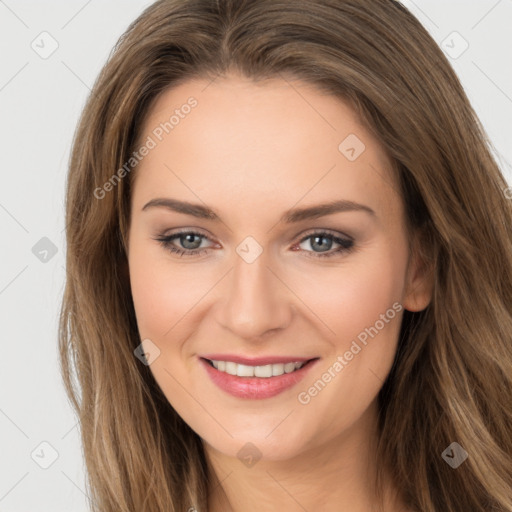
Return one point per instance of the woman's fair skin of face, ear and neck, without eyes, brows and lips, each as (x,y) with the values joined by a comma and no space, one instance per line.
(250,152)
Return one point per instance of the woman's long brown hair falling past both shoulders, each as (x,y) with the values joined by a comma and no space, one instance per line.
(451,380)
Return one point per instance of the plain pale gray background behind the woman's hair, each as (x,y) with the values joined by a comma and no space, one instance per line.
(41,97)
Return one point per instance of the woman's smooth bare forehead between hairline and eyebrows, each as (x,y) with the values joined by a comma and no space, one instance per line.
(271,142)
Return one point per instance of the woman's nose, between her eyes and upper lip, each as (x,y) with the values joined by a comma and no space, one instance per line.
(258,301)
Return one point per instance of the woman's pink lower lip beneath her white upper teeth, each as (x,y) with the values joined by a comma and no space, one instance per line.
(256,387)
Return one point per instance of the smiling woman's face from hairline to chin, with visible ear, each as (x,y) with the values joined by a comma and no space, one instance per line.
(269,277)
